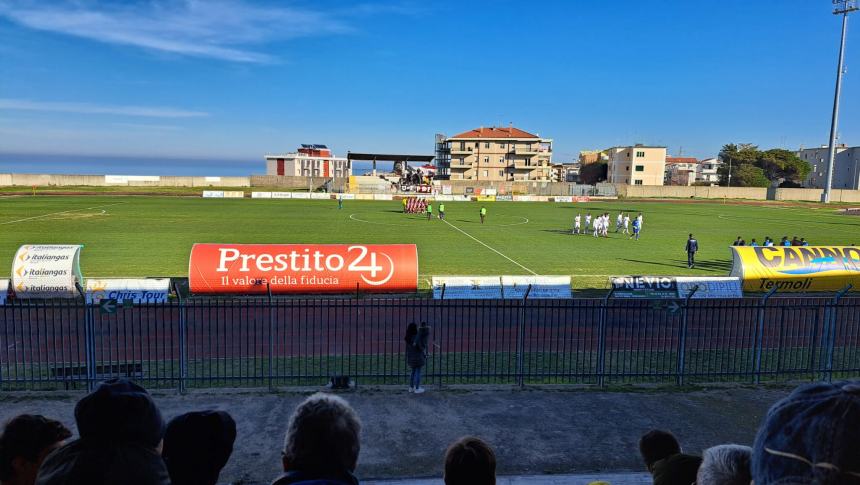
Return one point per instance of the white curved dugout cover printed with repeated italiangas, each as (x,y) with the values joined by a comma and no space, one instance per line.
(47,271)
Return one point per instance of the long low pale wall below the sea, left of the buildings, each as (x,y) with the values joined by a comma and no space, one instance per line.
(42,180)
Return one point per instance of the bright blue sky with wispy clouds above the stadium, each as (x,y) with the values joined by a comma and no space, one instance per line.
(238,79)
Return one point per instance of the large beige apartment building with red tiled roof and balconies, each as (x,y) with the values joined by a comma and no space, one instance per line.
(499,154)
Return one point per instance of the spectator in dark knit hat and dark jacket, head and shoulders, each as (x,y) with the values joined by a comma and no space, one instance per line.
(120,431)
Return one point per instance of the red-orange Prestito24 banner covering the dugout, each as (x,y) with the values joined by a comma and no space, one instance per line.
(303,268)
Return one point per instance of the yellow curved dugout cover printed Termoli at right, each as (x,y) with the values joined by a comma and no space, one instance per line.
(796,268)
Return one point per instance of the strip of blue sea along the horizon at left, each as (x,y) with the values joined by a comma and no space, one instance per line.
(29,163)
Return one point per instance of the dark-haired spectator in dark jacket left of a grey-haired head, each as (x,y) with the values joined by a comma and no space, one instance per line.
(663,458)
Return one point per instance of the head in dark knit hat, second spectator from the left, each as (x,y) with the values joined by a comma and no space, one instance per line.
(120,411)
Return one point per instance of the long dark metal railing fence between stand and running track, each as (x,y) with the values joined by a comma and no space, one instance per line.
(272,342)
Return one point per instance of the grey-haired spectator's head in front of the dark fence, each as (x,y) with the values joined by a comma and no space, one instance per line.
(323,435)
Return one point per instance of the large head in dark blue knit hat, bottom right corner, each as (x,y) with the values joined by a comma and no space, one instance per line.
(811,436)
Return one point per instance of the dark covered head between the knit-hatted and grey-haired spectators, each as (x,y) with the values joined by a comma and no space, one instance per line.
(197,445)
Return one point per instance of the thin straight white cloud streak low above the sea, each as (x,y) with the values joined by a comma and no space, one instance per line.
(100,109)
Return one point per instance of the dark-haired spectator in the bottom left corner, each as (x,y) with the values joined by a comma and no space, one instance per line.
(26,441)
